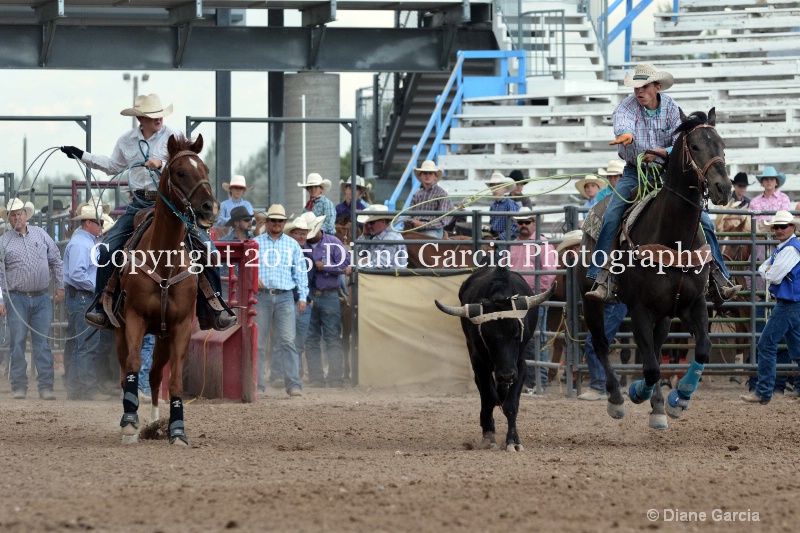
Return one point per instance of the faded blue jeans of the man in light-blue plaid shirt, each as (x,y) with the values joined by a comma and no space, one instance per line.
(278,310)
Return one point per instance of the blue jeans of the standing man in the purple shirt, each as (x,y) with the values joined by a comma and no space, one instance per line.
(325,327)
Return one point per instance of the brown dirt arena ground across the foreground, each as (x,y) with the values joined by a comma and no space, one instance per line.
(396,460)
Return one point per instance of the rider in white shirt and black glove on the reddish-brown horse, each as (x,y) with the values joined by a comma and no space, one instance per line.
(143,150)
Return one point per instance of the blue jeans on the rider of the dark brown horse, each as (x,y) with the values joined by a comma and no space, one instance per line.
(613,218)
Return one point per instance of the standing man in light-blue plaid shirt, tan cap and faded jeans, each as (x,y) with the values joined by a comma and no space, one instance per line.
(278,276)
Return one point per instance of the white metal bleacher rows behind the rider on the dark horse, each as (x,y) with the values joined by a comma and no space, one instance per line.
(740,57)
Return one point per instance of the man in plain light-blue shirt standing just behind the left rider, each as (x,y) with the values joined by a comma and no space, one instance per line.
(79,278)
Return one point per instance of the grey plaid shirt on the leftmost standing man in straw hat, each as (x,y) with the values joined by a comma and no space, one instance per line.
(30,260)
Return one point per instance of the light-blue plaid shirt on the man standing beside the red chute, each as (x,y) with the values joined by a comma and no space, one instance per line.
(281,264)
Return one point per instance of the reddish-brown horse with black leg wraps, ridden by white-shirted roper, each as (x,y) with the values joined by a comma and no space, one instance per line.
(161,291)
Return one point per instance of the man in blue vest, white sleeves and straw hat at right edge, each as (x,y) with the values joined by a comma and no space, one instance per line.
(782,275)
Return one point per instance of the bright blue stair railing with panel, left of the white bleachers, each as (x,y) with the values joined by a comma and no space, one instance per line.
(459,87)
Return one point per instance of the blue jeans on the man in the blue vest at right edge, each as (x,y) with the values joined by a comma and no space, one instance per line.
(784,320)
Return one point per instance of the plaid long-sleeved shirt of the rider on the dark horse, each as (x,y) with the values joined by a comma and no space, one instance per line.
(649,131)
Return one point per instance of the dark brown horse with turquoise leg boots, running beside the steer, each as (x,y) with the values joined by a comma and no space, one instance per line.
(696,171)
